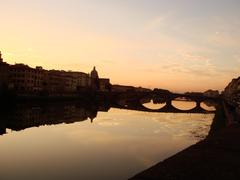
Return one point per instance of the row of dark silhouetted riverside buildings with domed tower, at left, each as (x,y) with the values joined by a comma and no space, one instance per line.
(26,80)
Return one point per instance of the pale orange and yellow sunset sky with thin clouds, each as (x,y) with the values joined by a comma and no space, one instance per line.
(180,45)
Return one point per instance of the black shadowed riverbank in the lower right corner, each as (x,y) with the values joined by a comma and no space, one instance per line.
(216,157)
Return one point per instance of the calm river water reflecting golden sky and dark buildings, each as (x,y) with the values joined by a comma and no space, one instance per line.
(115,146)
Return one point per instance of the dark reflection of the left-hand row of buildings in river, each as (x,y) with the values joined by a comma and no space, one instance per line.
(23,116)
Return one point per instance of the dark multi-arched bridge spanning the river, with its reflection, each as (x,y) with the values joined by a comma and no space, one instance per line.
(134,102)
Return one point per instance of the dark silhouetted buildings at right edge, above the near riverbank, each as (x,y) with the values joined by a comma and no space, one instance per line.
(231,95)
